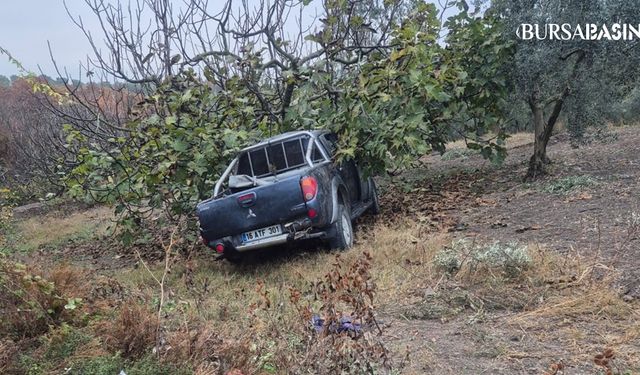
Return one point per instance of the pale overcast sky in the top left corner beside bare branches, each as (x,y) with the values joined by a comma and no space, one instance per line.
(27,25)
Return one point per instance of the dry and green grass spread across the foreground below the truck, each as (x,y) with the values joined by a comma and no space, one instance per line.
(217,317)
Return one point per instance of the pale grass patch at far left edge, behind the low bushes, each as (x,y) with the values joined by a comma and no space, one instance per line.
(54,231)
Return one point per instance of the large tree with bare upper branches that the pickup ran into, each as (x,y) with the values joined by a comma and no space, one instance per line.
(373,71)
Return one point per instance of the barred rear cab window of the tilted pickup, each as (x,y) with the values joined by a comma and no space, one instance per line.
(277,157)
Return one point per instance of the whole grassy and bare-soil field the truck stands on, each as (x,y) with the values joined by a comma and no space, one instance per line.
(470,271)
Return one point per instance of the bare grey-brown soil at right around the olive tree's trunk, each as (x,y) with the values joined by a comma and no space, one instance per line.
(590,220)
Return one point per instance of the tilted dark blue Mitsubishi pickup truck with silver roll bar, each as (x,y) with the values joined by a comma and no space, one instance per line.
(286,188)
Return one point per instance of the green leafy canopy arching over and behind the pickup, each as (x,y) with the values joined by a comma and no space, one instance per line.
(390,98)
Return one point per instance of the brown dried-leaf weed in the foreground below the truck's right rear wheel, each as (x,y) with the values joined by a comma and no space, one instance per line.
(346,289)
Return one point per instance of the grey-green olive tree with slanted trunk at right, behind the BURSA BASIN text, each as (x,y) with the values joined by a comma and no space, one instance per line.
(575,78)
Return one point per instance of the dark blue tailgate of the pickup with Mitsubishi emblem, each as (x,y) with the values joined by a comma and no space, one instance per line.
(278,202)
